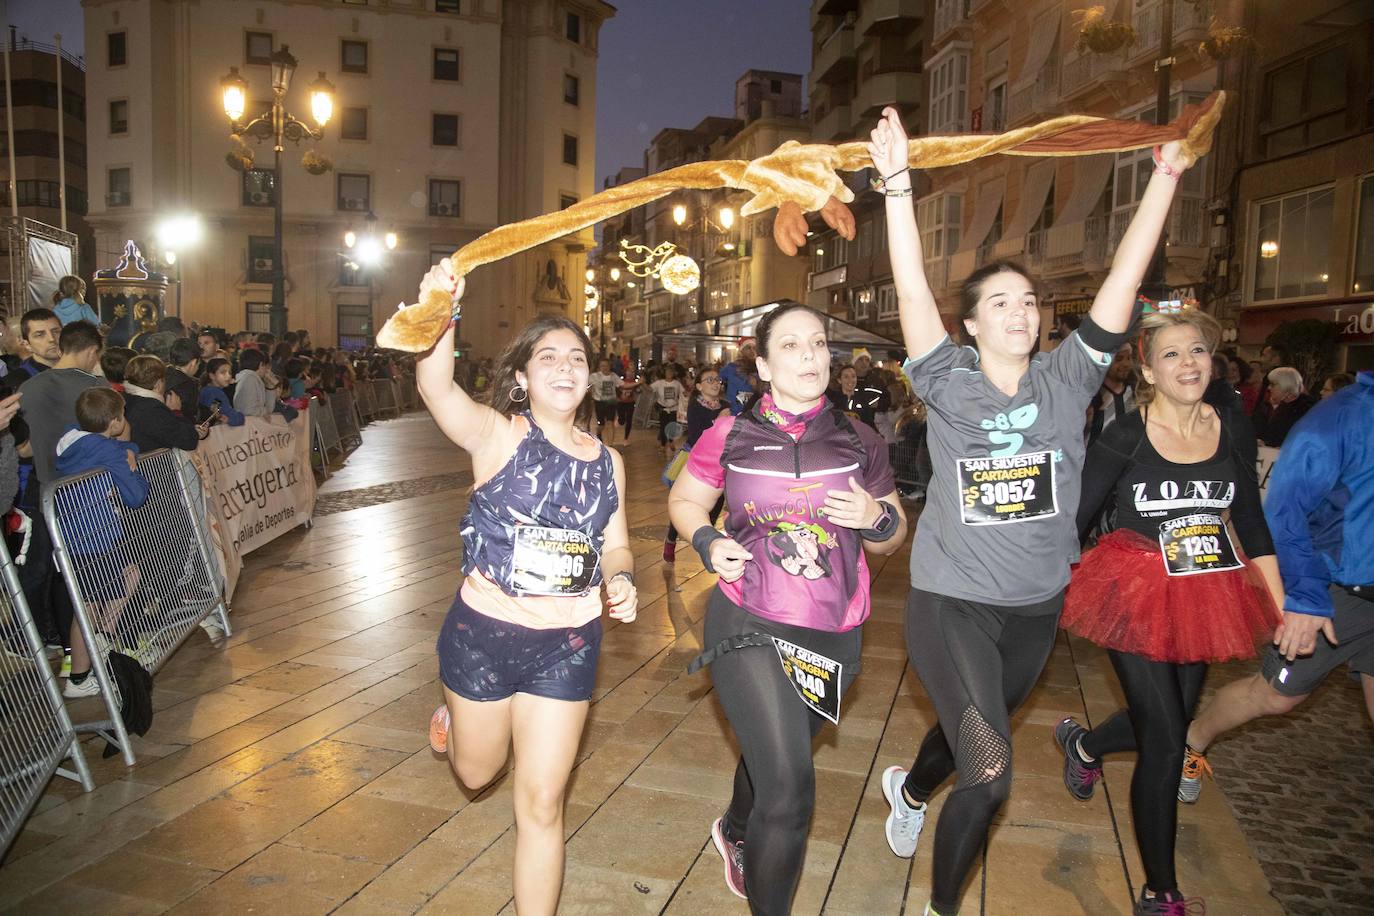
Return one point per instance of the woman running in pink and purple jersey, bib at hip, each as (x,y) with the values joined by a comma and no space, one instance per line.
(809,491)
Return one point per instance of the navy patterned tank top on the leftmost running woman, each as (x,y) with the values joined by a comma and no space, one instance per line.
(537,528)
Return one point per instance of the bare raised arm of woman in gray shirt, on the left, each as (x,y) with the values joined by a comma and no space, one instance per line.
(921,325)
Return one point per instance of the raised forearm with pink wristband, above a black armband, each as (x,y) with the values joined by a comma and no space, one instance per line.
(1115,304)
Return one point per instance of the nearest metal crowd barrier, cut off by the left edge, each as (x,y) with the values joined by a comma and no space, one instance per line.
(36,734)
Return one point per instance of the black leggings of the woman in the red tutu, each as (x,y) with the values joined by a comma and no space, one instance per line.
(1160,701)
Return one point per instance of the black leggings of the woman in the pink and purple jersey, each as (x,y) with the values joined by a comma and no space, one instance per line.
(776,781)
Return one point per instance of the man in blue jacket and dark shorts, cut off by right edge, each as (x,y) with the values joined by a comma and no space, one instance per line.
(1321,513)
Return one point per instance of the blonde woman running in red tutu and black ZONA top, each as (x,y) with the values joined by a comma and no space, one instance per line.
(1167,591)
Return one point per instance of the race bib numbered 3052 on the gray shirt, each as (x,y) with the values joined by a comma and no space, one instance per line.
(995,491)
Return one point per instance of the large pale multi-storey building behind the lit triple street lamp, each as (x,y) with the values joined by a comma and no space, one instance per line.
(451,117)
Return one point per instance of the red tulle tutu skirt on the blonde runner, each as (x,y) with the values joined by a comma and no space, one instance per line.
(1123,598)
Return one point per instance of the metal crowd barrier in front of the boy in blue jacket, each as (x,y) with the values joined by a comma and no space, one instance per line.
(141,580)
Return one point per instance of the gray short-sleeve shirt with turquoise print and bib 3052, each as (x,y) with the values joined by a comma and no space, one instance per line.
(1000,520)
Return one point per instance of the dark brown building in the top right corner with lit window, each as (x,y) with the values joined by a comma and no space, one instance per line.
(1299,233)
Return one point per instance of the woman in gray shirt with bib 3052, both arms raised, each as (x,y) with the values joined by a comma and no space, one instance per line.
(994,546)
